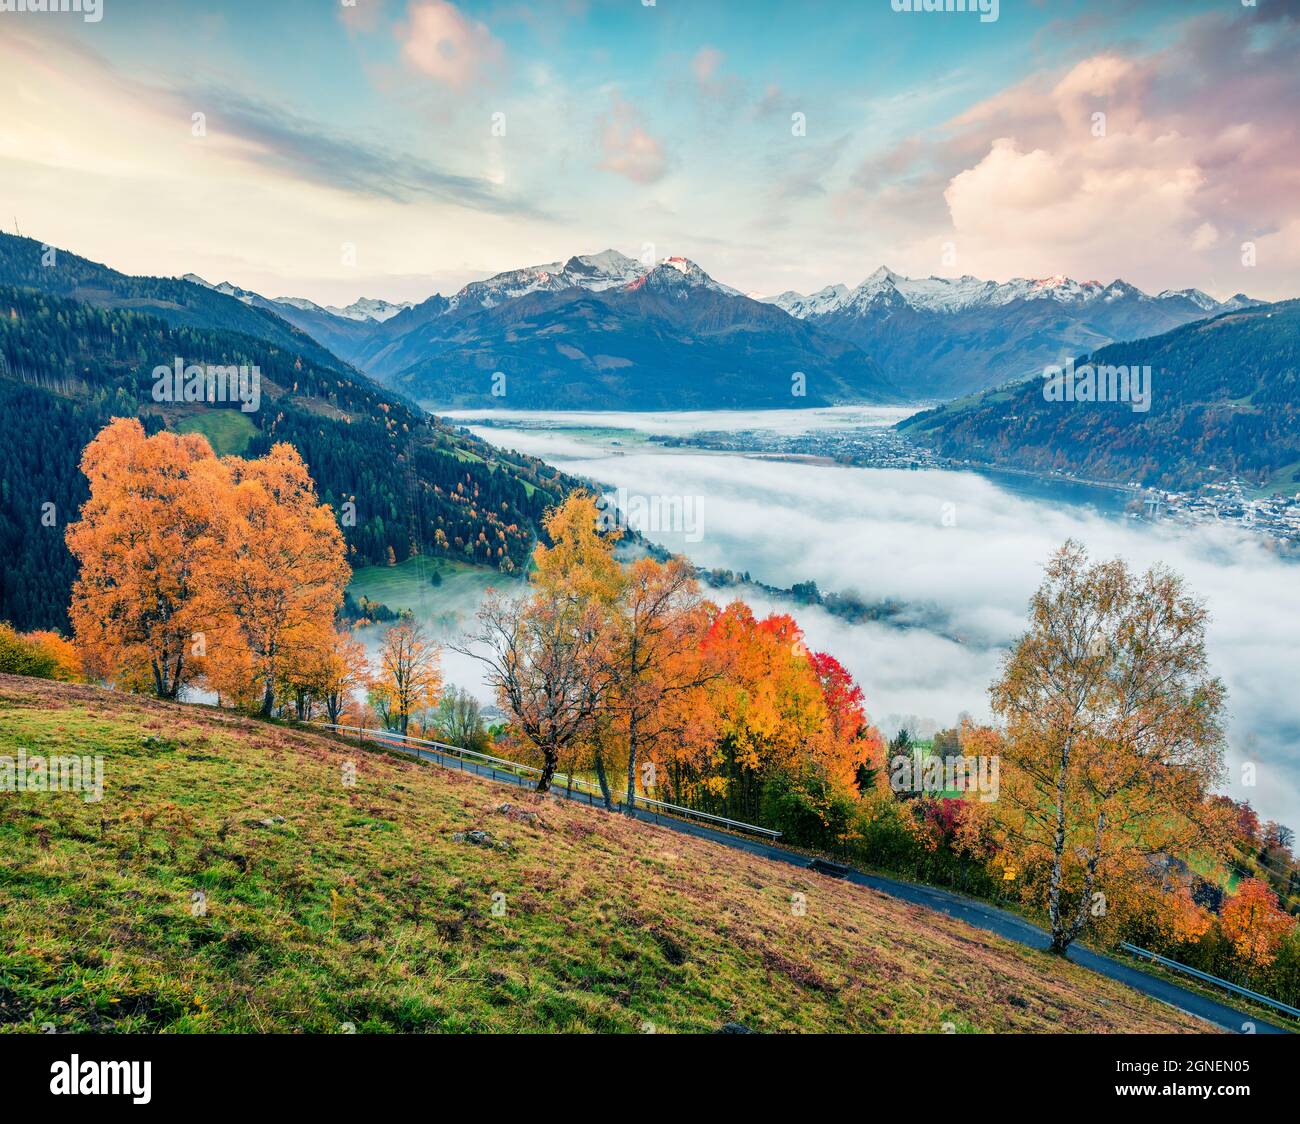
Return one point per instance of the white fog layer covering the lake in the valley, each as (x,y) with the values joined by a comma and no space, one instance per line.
(964,550)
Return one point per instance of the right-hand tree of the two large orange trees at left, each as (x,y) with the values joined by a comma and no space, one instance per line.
(281,578)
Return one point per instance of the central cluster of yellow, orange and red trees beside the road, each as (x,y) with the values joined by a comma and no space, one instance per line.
(627,670)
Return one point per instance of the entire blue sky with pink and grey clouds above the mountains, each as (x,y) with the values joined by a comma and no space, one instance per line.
(395,149)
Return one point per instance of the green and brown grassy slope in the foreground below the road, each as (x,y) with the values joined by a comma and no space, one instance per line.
(361,909)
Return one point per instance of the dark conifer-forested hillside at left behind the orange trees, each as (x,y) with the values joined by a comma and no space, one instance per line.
(68,367)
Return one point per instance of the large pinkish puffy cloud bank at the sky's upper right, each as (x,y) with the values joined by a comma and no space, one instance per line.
(1189,149)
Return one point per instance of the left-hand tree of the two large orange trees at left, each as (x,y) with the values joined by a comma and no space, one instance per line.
(149,540)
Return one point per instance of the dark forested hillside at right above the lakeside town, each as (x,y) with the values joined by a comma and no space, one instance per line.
(1225,403)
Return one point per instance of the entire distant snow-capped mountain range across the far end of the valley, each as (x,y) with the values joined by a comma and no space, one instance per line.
(612,332)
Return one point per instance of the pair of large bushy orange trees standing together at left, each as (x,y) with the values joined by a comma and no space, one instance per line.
(197,568)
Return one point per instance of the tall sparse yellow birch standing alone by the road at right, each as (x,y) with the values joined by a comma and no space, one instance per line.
(1112,737)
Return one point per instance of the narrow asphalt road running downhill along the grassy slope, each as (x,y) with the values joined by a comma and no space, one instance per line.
(973,912)
